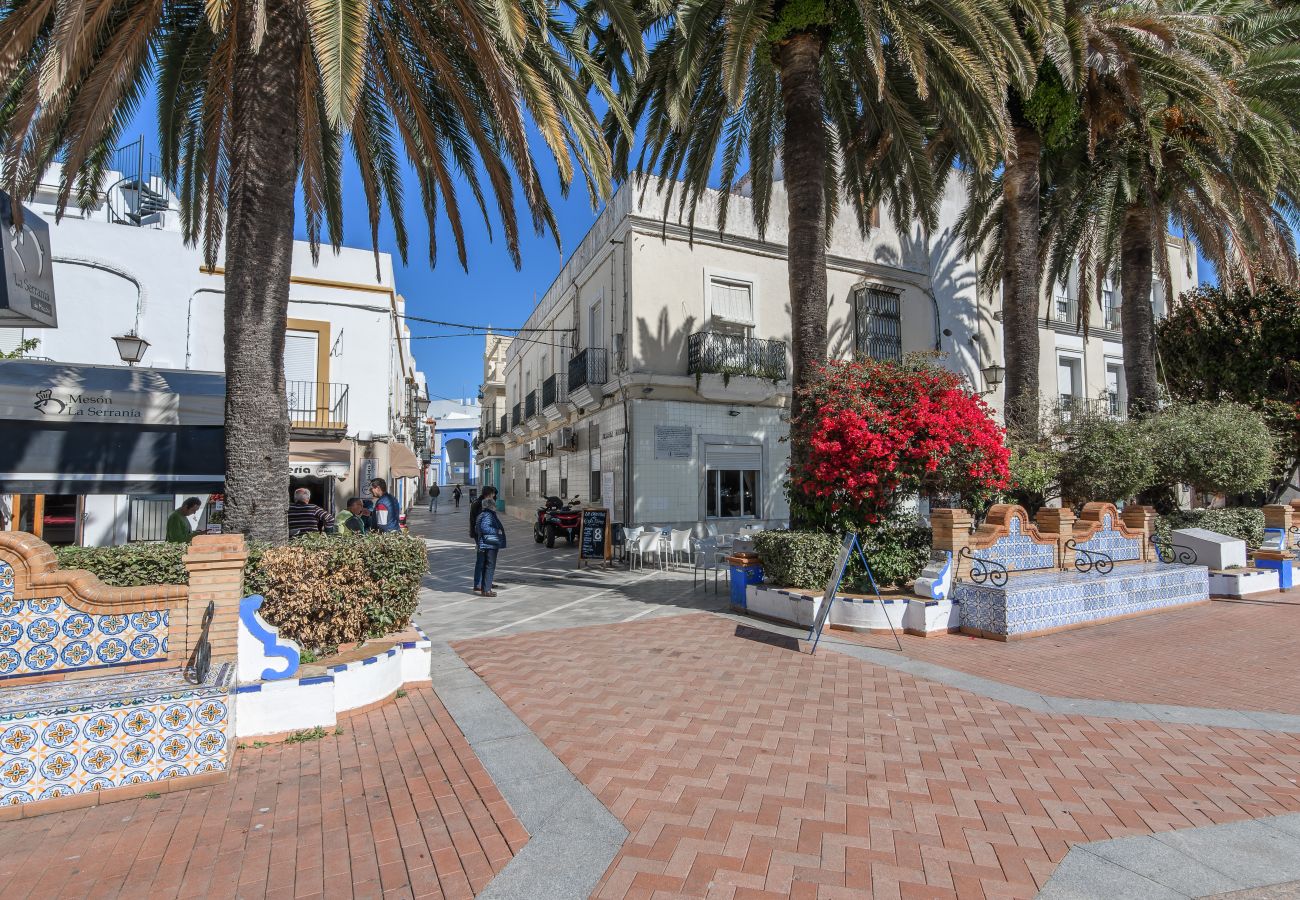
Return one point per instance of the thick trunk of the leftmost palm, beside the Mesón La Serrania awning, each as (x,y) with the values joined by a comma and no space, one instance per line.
(259,254)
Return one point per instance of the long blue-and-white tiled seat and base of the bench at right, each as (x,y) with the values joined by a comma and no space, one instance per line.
(1032,604)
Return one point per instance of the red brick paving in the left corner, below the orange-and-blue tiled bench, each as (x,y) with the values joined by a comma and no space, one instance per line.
(397,806)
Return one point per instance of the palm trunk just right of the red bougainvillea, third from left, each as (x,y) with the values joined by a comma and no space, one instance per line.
(1021,283)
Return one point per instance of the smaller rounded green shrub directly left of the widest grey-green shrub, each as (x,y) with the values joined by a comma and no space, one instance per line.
(1106,460)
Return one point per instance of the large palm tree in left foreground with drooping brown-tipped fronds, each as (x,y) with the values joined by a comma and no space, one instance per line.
(259,96)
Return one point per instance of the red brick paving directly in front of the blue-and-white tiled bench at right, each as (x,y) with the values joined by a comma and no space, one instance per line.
(1232,655)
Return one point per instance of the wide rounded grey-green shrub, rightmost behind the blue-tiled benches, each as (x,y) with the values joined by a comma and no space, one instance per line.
(1217,448)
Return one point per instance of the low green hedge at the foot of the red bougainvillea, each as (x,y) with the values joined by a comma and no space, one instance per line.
(804,560)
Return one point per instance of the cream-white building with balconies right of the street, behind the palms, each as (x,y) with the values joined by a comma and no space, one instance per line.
(653,375)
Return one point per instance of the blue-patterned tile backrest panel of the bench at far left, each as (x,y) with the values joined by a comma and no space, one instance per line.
(46,635)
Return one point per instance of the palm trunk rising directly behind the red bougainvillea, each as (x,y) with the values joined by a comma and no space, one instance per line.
(804,159)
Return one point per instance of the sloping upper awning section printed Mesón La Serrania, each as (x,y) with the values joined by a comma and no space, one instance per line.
(118,395)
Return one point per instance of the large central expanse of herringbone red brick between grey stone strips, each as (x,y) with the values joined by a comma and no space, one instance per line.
(747,769)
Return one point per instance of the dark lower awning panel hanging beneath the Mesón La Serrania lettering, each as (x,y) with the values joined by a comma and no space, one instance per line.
(98,458)
